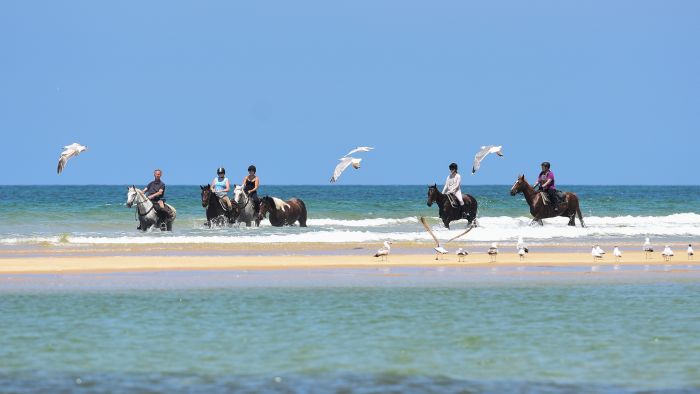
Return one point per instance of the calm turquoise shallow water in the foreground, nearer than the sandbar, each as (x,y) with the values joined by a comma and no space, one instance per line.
(421,330)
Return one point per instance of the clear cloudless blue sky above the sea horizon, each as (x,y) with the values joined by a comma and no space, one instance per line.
(608,91)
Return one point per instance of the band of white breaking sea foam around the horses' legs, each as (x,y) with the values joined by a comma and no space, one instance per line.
(404,229)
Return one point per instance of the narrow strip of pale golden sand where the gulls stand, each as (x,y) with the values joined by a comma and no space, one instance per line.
(268,257)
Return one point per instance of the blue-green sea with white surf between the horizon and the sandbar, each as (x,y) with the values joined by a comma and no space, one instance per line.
(97,215)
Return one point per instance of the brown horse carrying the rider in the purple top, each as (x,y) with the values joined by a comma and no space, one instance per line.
(568,207)
